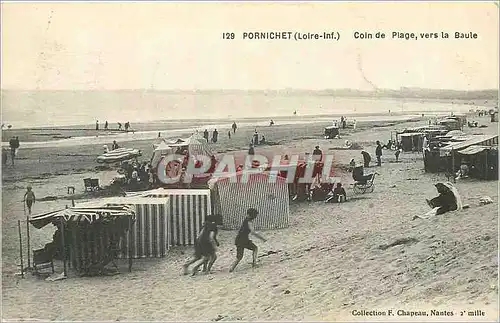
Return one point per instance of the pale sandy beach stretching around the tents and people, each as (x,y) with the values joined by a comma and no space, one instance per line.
(333,259)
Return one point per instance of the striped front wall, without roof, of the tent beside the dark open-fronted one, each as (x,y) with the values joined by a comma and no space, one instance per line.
(150,232)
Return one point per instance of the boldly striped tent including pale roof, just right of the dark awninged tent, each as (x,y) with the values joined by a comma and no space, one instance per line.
(150,235)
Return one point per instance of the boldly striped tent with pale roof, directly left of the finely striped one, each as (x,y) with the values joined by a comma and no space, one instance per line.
(186,212)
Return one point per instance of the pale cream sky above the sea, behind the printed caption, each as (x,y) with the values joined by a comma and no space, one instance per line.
(168,46)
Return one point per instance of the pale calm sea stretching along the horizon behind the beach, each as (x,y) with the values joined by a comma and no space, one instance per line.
(150,112)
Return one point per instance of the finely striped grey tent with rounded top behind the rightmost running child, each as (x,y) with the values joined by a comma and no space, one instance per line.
(233,194)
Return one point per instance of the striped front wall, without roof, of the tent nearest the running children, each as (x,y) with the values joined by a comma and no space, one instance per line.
(186,216)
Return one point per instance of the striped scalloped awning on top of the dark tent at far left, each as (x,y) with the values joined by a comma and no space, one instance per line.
(78,214)
